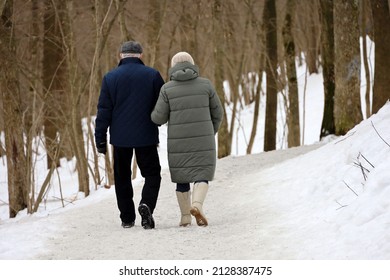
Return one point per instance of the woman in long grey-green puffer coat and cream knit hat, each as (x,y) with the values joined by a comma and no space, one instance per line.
(194,113)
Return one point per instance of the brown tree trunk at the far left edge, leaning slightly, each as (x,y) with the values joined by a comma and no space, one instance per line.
(12,114)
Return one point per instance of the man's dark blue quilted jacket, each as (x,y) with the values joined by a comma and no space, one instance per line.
(127,97)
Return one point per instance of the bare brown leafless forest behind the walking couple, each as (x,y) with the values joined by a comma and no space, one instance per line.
(54,53)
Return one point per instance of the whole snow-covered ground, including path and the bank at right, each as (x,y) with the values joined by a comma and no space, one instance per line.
(305,203)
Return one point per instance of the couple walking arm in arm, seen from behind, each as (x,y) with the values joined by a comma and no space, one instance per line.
(133,101)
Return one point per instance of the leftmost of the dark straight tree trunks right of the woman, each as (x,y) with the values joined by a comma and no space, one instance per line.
(271,72)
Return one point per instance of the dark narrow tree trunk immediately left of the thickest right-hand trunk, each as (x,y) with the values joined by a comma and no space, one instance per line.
(327,53)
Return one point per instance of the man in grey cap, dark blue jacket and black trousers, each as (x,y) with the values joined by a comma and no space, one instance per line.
(127,97)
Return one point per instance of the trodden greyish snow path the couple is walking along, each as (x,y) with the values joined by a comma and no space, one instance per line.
(242,226)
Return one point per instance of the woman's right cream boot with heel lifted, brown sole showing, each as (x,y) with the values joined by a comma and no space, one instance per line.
(198,196)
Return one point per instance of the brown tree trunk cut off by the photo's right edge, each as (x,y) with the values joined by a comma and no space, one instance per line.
(381,16)
